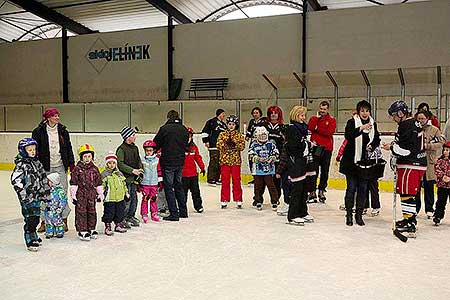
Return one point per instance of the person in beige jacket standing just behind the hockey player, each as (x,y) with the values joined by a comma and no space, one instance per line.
(433,141)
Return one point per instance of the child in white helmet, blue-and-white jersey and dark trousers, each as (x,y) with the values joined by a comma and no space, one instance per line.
(263,153)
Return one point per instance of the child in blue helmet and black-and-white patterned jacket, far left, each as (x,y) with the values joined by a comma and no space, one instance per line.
(31,185)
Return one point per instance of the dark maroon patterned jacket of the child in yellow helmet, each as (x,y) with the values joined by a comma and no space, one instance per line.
(87,178)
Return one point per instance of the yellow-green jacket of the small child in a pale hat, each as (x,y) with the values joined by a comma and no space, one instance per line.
(115,187)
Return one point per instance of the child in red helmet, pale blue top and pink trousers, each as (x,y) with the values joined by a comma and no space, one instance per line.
(150,182)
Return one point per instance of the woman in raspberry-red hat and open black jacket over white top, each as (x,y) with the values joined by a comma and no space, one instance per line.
(54,151)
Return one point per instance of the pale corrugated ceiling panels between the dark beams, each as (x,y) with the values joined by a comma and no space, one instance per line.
(114,15)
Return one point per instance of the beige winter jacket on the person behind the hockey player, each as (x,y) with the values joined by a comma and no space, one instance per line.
(433,144)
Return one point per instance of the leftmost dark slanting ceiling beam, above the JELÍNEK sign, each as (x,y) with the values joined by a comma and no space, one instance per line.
(51,15)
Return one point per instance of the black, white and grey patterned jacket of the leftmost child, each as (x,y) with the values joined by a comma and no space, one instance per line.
(29,180)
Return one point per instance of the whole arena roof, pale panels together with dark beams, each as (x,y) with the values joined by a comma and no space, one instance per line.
(41,19)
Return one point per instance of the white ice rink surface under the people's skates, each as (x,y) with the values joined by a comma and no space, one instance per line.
(229,254)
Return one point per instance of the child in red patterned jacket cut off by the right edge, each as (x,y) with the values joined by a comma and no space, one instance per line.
(442,168)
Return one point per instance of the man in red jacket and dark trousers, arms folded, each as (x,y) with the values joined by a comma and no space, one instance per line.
(322,127)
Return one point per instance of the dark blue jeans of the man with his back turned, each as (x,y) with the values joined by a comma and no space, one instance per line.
(173,188)
